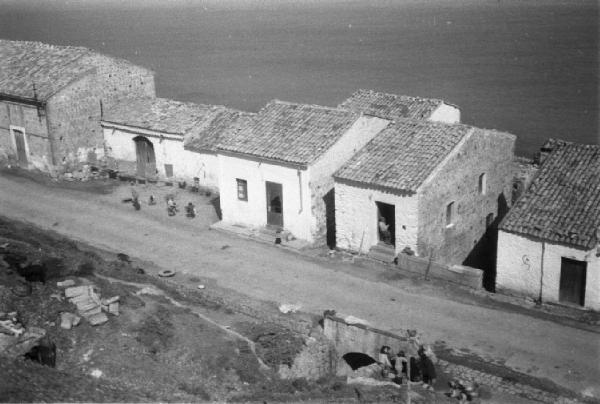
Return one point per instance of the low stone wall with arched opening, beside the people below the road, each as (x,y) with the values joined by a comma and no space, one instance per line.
(356,337)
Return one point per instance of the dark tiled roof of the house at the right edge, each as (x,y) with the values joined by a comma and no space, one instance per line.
(562,204)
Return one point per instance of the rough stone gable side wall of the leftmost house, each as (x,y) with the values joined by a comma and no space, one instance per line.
(74,112)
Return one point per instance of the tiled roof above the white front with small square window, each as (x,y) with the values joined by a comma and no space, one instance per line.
(289,132)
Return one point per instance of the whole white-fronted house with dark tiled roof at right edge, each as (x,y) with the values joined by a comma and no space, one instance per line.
(548,243)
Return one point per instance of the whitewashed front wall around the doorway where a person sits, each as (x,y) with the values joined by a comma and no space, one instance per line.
(356,213)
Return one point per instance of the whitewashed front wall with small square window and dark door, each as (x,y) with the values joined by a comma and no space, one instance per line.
(253,212)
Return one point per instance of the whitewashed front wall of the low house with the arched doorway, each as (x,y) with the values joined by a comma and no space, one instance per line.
(119,145)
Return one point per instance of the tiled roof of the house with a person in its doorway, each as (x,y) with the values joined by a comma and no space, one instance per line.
(403,155)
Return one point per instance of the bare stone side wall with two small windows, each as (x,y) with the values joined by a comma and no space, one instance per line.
(483,152)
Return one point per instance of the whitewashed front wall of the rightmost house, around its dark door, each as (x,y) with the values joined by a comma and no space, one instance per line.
(519,264)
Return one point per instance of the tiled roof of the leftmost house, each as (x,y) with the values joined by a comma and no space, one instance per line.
(49,67)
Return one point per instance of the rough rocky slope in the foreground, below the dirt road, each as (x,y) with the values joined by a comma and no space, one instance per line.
(154,350)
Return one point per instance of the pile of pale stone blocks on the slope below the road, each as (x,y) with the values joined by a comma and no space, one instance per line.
(89,305)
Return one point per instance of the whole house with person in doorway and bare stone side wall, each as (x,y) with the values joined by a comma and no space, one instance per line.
(437,187)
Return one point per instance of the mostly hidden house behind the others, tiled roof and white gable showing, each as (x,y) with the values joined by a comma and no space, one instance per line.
(392,107)
